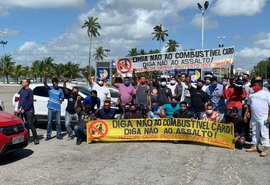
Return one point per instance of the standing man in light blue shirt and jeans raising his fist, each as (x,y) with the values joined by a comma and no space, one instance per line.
(56,97)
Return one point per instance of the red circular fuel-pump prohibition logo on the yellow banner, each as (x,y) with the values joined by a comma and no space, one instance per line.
(97,129)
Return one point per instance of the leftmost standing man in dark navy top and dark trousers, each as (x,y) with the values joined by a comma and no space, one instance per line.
(26,108)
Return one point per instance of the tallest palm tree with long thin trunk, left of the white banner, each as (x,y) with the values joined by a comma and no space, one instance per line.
(92,31)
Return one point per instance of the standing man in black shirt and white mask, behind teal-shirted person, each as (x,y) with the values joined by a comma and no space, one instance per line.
(164,93)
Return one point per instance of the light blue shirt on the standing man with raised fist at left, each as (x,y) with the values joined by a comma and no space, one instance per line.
(54,98)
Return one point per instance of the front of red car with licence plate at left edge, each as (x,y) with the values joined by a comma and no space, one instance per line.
(13,134)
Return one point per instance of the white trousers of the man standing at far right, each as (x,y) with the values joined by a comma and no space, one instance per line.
(260,131)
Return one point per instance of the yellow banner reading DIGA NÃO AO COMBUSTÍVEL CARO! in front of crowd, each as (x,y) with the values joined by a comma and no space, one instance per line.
(208,132)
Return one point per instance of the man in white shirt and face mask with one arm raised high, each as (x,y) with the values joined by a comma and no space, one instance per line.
(103,91)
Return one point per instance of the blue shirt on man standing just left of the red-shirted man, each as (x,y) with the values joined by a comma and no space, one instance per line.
(218,103)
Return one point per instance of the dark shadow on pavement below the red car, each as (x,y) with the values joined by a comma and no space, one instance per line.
(16,156)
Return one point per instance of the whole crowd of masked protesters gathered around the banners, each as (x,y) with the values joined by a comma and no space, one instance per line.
(239,100)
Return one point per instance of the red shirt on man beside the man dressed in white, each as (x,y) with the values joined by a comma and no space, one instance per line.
(234,98)
